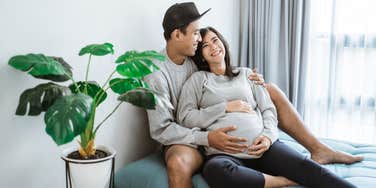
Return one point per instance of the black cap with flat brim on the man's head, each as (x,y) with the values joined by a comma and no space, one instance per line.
(180,14)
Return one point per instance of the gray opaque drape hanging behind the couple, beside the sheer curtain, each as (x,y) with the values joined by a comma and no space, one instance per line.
(274,39)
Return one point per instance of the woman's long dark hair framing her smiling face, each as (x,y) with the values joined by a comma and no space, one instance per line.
(199,60)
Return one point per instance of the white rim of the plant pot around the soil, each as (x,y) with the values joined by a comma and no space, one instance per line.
(106,149)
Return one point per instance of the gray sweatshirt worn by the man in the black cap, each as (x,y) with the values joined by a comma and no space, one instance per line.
(163,126)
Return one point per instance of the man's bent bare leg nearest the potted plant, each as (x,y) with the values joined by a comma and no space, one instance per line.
(182,162)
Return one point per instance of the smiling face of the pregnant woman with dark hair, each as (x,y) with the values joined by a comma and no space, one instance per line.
(213,49)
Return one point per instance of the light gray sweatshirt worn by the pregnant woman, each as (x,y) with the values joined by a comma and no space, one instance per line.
(204,96)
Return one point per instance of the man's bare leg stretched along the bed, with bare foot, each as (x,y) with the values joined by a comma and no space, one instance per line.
(291,123)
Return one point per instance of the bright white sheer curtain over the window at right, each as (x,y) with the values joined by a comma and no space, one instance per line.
(340,95)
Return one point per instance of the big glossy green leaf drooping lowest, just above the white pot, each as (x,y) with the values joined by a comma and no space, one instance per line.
(68,117)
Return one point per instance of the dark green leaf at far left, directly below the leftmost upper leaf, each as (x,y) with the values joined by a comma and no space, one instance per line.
(40,98)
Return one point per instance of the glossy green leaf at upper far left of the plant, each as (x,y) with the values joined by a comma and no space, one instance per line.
(41,66)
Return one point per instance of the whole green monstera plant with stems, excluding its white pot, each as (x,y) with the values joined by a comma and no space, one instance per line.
(70,109)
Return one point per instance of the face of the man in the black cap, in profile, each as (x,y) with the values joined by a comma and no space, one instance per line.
(191,39)
